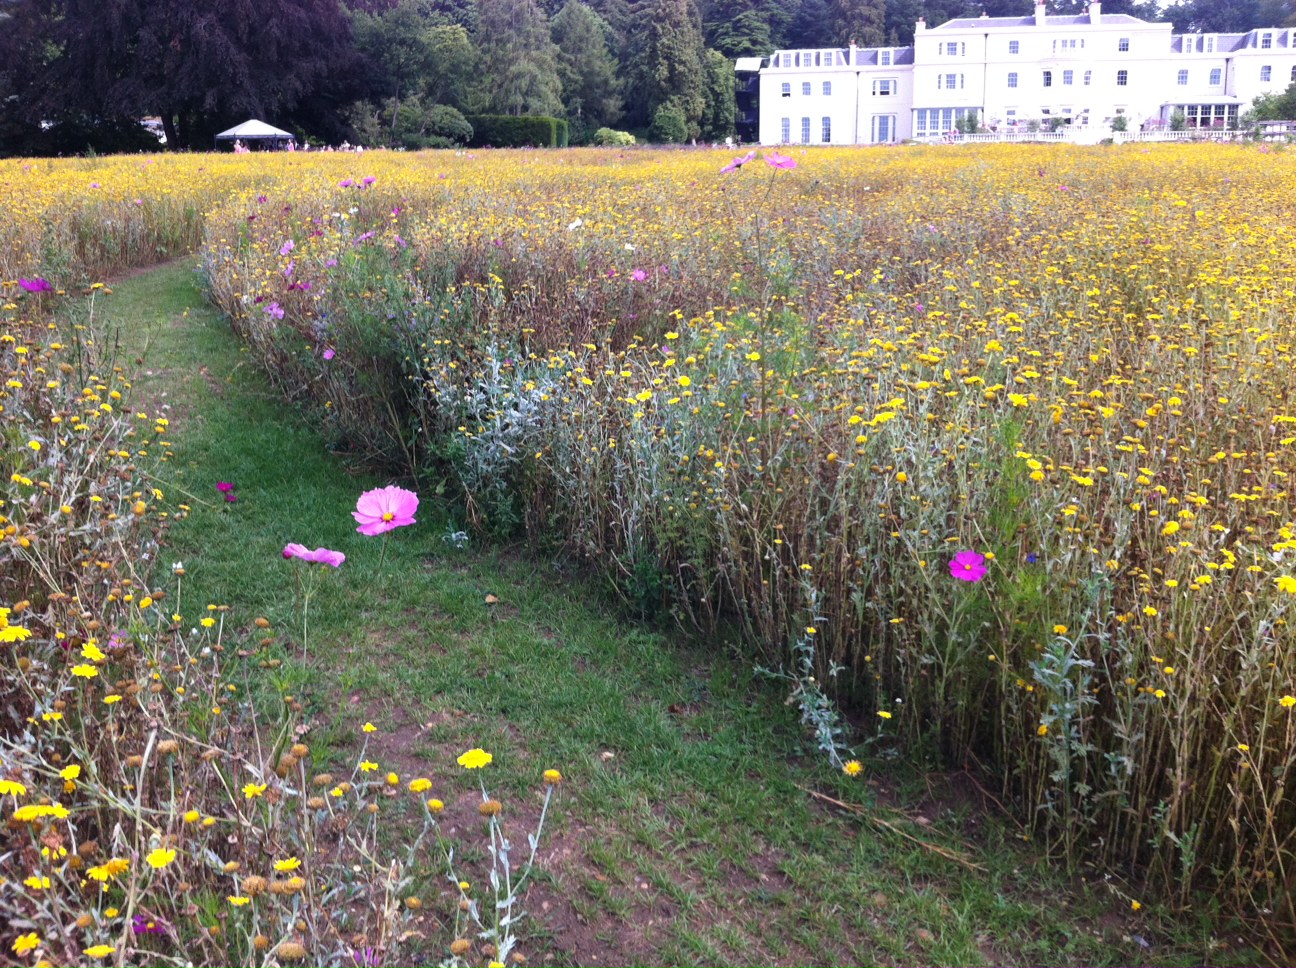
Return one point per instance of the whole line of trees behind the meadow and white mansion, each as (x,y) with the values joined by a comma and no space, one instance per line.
(80,75)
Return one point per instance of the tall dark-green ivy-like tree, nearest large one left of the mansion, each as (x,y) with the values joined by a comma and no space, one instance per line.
(669,64)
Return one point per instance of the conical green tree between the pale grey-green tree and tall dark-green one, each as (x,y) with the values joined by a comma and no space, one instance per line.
(588,71)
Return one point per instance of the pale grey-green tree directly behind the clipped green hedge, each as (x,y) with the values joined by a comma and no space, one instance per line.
(519,63)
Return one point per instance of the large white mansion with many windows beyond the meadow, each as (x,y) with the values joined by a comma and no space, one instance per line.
(1017,75)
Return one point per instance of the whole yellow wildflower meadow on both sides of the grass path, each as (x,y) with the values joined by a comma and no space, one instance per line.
(991,448)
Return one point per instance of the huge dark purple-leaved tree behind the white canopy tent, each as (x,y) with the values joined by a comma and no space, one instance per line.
(198,64)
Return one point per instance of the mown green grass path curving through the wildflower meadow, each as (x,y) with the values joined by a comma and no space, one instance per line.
(681,836)
